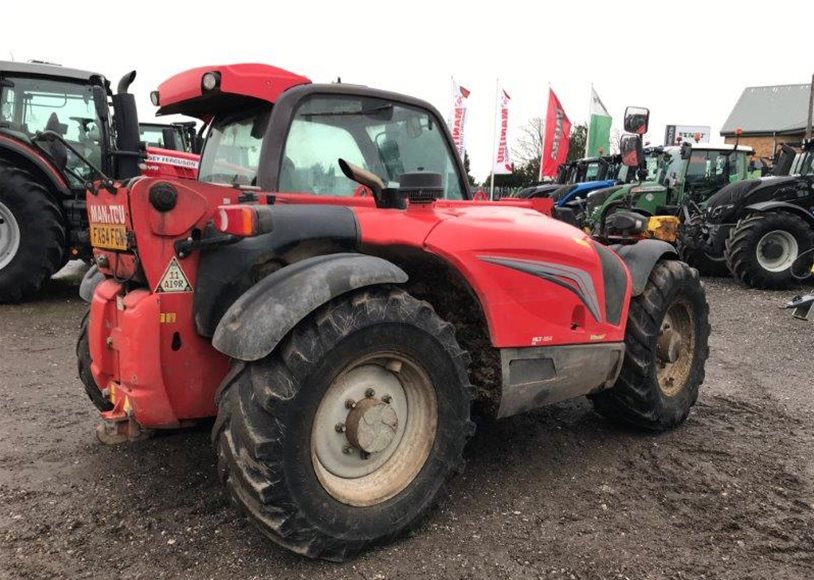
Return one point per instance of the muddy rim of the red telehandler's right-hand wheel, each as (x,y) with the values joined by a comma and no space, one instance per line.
(674,348)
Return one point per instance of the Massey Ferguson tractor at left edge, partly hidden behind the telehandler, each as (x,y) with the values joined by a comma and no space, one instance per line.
(56,134)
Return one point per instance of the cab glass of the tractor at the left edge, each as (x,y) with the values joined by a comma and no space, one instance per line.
(29,105)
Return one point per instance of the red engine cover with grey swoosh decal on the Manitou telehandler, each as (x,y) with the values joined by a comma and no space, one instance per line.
(521,310)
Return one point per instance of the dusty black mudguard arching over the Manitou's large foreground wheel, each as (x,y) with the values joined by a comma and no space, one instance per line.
(260,318)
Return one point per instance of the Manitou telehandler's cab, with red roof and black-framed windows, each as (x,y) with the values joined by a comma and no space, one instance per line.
(370,129)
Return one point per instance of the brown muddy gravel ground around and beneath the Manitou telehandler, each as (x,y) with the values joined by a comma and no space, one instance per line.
(558,493)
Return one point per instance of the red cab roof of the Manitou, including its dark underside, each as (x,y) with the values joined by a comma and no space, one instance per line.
(240,85)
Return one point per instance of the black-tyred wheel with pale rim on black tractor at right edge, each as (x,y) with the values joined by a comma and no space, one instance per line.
(762,248)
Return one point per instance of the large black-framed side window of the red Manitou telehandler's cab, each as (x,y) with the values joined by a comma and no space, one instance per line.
(386,138)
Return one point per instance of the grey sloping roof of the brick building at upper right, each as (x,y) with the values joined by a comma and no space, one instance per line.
(768,110)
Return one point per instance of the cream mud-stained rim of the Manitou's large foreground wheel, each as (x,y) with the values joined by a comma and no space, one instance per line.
(374,429)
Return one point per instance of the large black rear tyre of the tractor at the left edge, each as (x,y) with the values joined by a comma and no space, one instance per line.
(32,235)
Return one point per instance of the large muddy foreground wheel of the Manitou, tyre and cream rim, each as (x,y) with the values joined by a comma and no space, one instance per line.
(345,435)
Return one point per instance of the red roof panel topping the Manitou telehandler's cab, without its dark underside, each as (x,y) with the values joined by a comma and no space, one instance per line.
(261,81)
